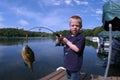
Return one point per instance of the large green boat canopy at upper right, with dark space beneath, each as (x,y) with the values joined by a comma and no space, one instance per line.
(111,14)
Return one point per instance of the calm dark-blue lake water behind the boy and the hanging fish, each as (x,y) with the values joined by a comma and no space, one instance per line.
(48,57)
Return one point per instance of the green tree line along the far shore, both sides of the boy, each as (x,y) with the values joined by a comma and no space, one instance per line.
(15,32)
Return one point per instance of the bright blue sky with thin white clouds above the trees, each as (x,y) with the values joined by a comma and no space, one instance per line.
(52,14)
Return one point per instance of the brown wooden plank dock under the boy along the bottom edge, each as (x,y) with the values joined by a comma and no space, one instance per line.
(60,75)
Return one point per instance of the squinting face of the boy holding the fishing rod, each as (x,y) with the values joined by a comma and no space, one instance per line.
(75,26)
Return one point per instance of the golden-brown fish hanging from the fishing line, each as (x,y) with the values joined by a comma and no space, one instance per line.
(28,56)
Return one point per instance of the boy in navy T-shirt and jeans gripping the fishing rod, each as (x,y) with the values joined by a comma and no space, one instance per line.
(73,49)
